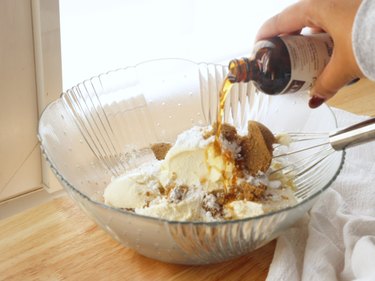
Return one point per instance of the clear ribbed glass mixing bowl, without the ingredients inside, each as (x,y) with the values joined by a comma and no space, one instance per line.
(104,126)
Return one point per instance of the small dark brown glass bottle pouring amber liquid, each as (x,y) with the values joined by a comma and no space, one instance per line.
(284,64)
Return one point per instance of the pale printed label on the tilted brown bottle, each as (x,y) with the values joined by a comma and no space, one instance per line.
(308,57)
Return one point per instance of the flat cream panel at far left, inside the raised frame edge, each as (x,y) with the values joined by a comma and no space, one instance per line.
(20,165)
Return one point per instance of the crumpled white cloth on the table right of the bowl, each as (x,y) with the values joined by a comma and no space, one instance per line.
(336,240)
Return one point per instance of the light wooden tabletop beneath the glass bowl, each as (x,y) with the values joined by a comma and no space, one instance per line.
(56,241)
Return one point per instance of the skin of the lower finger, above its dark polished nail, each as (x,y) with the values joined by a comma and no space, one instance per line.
(334,76)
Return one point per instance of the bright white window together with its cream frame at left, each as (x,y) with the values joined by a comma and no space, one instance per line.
(97,36)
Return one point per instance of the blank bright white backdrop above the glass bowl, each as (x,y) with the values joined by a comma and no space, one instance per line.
(99,35)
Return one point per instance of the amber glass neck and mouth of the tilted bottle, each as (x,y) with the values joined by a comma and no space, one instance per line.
(242,70)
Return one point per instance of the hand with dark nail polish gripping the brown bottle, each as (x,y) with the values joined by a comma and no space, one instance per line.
(335,17)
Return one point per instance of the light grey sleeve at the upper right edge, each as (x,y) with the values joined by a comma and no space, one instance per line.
(363,38)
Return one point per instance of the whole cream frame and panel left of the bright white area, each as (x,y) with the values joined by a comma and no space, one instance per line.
(30,78)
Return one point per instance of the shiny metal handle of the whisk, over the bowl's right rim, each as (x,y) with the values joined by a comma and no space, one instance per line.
(353,135)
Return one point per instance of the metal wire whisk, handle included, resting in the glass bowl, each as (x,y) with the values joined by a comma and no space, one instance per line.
(311,156)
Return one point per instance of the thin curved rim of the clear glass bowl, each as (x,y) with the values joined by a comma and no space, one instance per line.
(67,184)
